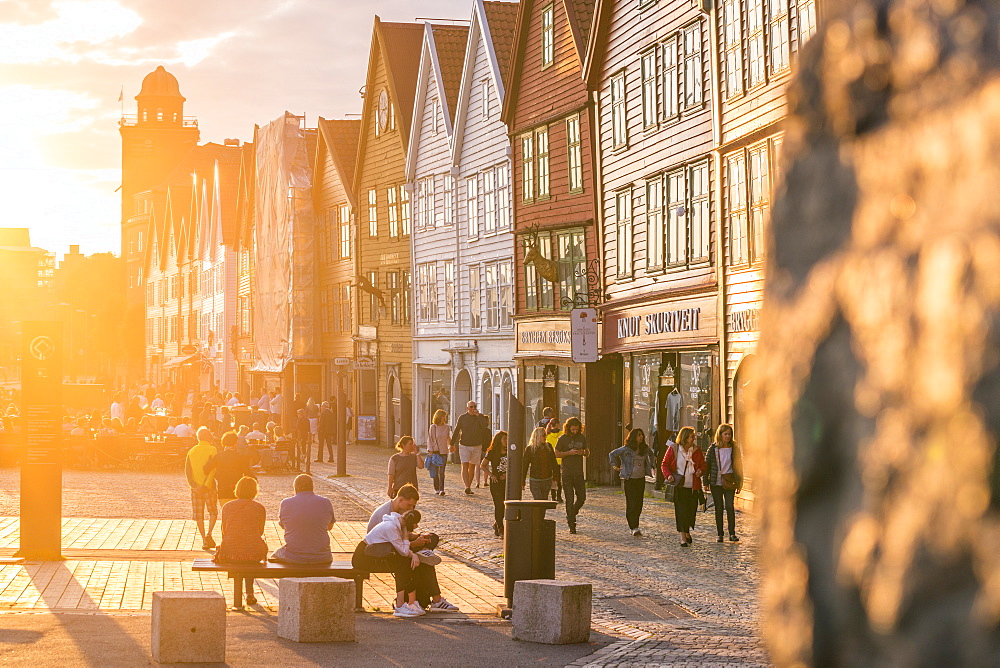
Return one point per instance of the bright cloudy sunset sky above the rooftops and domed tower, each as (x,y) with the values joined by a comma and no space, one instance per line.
(239,62)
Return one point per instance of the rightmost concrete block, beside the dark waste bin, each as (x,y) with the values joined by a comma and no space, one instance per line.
(553,612)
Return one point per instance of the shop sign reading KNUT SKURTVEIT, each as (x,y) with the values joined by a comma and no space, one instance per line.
(680,320)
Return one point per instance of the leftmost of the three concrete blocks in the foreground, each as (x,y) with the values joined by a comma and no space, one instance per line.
(189,627)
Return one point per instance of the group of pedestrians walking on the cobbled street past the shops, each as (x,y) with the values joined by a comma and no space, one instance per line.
(553,467)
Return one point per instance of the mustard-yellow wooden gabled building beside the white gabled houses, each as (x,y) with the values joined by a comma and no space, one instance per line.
(383,336)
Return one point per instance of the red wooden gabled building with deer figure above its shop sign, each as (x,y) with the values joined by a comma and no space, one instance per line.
(551,125)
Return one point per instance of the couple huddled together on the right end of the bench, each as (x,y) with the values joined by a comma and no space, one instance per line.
(394,546)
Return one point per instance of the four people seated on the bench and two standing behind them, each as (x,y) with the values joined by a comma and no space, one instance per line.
(392,543)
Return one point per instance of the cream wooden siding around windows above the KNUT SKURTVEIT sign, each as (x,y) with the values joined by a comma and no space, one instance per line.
(670,143)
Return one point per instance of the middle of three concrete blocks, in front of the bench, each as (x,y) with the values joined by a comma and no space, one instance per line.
(316,609)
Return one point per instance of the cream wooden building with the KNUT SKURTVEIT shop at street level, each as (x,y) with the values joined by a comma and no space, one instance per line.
(649,66)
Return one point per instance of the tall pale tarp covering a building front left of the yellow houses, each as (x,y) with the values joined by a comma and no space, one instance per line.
(285,256)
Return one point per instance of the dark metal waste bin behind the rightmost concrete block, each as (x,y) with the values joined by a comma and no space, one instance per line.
(529,543)
